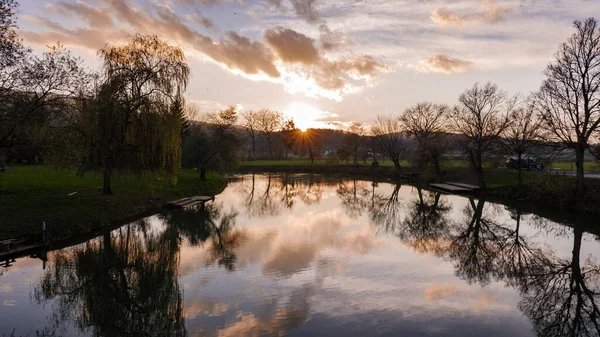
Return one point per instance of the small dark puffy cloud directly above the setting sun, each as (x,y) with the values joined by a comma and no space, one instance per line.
(291,46)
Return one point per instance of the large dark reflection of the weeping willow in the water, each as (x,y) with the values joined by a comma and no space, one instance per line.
(124,283)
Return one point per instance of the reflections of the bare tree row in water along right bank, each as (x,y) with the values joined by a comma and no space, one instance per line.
(560,296)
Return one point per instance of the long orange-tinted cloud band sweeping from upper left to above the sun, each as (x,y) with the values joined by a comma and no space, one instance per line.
(285,56)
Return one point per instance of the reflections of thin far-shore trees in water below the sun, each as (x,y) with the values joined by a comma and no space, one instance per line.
(269,195)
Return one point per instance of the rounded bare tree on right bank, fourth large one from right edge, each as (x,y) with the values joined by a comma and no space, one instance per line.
(426,122)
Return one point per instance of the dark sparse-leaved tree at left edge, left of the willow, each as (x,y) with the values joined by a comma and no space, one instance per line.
(34,90)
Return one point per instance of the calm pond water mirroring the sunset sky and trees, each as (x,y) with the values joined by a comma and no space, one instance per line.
(307,256)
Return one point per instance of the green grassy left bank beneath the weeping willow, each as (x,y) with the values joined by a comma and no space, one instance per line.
(31,195)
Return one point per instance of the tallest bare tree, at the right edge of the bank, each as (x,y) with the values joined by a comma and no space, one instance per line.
(569,99)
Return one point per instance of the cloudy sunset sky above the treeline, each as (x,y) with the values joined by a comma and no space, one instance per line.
(324,63)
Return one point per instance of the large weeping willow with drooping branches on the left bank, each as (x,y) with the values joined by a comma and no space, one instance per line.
(135,116)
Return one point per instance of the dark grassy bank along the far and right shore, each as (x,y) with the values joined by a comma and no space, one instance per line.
(539,189)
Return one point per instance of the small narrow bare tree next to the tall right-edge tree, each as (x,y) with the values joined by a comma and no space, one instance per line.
(522,135)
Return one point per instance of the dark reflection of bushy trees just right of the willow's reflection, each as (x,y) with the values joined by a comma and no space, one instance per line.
(212,226)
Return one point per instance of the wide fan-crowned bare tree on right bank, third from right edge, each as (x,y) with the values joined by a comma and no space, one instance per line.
(480,118)
